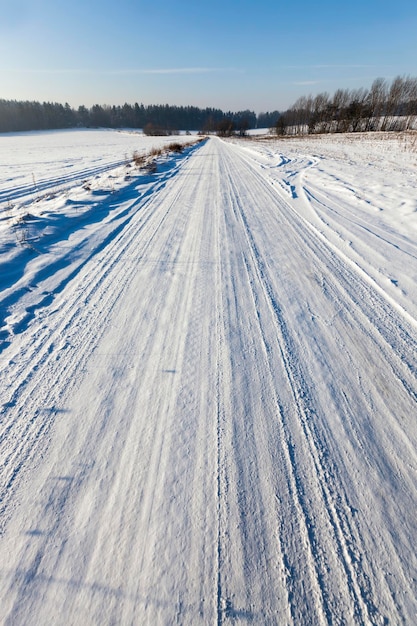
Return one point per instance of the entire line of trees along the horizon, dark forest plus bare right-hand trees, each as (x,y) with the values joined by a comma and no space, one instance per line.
(385,106)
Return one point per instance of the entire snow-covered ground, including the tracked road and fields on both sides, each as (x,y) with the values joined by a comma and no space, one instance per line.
(208,380)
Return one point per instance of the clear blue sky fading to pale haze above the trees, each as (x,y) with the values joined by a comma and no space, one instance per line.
(233,55)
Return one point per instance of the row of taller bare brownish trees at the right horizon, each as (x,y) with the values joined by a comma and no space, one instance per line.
(384,107)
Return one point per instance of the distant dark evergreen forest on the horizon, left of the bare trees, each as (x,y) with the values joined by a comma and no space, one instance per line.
(155,119)
